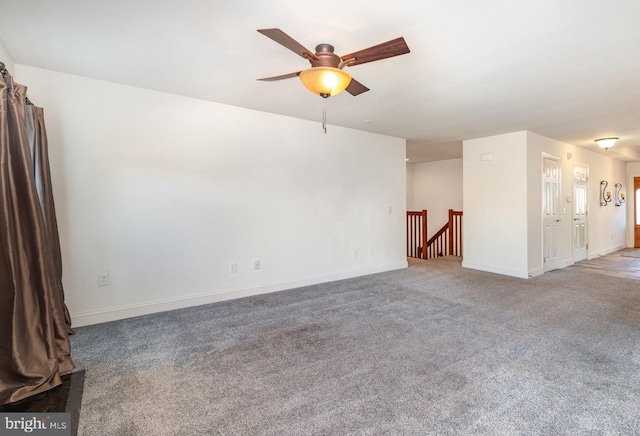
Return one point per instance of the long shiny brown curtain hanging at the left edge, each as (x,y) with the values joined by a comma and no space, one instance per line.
(34,321)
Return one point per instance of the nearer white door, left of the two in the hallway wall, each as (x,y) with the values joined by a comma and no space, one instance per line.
(550,213)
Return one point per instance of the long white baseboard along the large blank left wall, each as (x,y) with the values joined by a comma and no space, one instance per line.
(131,310)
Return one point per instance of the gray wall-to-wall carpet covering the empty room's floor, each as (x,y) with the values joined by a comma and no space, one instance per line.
(433,349)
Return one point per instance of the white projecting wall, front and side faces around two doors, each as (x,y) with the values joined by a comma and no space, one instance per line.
(503,199)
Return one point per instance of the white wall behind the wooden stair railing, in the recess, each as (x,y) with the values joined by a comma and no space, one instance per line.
(437,187)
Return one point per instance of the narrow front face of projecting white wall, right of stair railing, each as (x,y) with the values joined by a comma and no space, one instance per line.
(495,204)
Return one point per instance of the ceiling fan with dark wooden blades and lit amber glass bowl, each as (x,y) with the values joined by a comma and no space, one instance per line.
(326,76)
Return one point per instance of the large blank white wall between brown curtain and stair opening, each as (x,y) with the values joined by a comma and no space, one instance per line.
(163,192)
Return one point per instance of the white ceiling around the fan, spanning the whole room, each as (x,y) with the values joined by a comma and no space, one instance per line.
(566,69)
